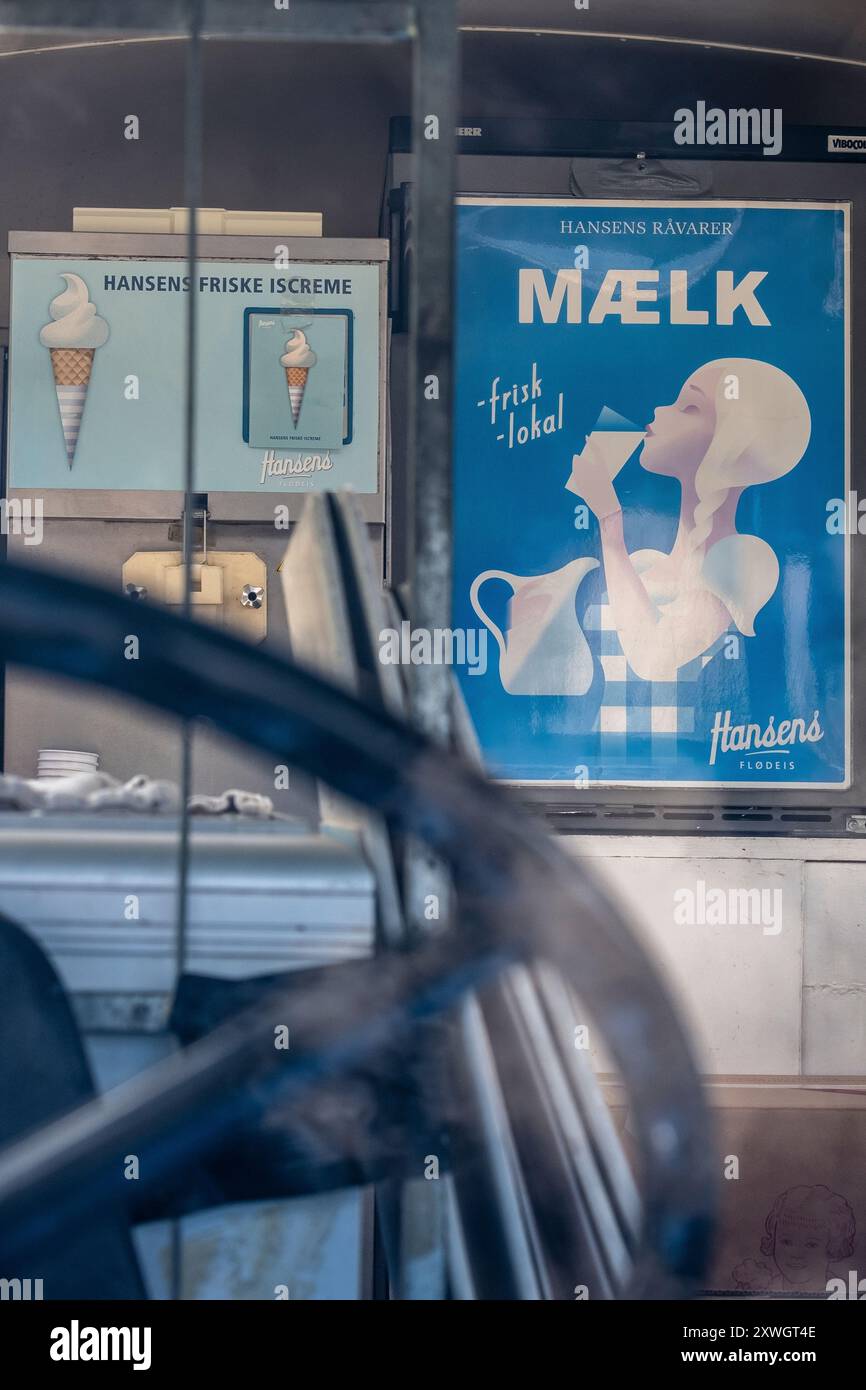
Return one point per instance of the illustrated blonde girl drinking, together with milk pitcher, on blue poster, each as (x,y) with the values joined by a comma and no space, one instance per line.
(736,423)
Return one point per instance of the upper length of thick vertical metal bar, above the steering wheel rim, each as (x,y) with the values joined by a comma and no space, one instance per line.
(432,373)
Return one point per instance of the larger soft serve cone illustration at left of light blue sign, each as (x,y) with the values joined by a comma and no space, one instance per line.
(73,337)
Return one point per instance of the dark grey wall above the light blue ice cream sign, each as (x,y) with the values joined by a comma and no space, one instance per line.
(284,129)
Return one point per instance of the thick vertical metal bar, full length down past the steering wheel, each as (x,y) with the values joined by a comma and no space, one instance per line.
(436,97)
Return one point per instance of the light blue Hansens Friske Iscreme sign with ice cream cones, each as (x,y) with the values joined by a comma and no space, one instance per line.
(288,387)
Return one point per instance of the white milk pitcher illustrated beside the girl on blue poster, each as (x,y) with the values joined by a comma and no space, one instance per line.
(546,651)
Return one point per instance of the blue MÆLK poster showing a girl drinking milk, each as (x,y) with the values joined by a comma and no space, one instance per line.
(651,448)
